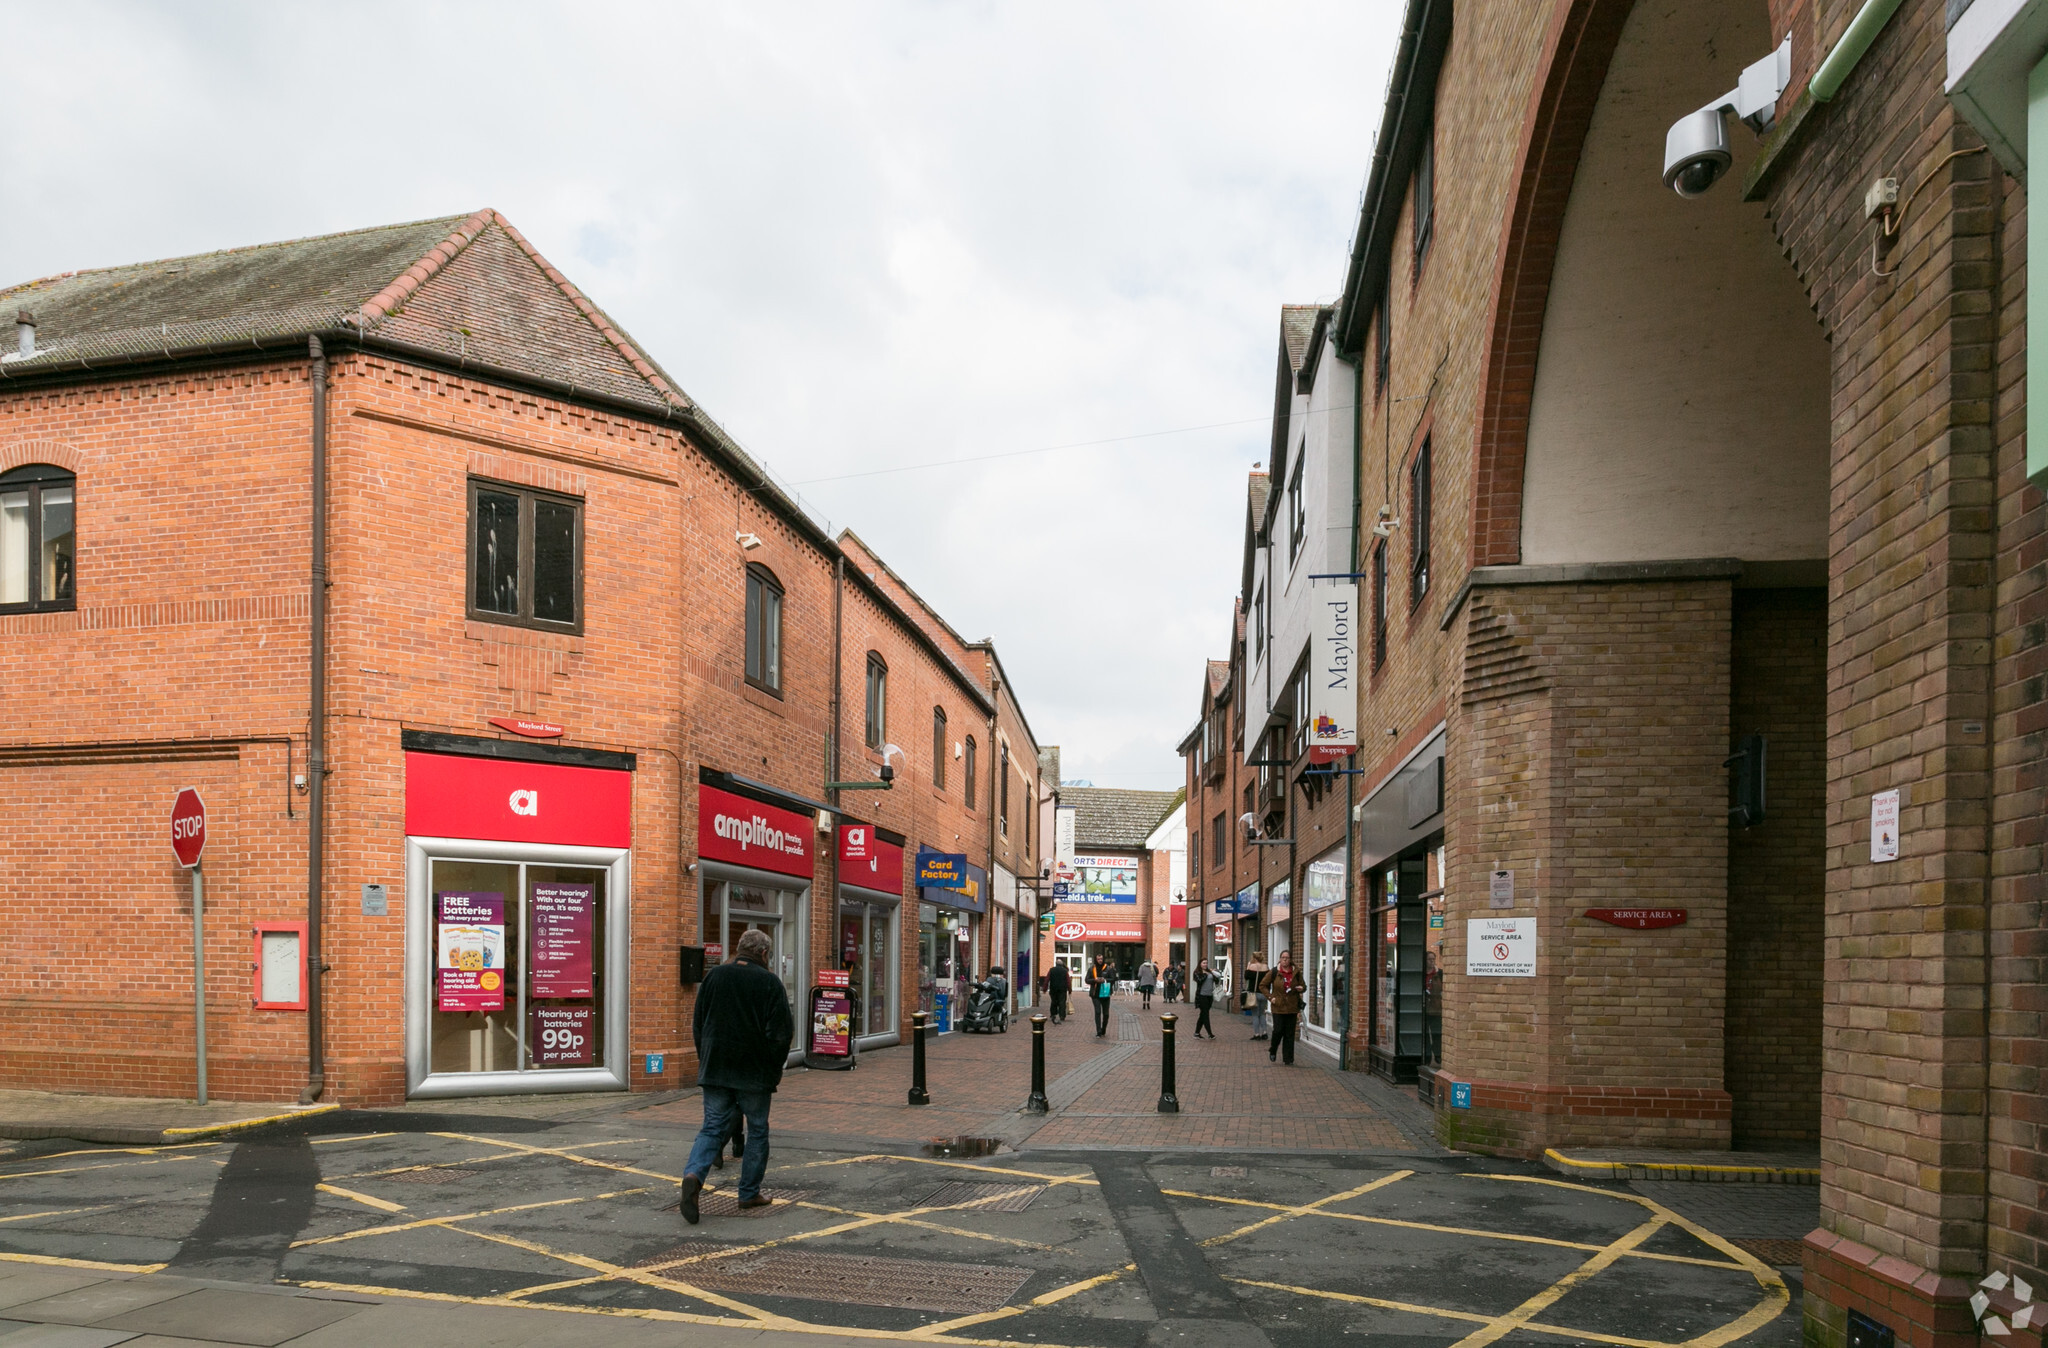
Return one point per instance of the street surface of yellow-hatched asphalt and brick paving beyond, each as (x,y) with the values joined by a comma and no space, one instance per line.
(1281,1208)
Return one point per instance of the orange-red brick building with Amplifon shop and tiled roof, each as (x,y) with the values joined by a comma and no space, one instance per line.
(503,671)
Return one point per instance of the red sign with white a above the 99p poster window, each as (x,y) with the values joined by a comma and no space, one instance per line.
(505,800)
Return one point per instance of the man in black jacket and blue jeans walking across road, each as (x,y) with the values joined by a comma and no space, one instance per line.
(742,1040)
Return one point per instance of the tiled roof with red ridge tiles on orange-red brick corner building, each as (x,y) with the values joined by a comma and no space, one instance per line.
(468,290)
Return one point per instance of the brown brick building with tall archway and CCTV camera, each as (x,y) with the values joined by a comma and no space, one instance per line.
(1668,497)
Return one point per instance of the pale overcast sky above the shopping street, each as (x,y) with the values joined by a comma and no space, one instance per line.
(863,237)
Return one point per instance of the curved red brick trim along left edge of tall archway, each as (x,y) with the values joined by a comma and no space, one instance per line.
(1574,69)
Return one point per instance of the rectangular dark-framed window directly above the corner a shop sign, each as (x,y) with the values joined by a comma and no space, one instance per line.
(525,558)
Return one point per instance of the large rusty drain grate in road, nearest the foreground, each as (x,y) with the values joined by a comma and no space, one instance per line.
(847,1279)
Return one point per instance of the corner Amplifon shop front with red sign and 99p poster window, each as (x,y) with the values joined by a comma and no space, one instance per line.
(519,896)
